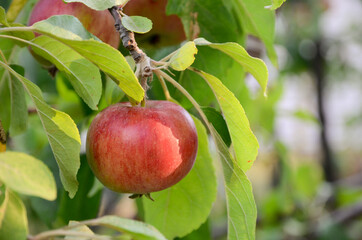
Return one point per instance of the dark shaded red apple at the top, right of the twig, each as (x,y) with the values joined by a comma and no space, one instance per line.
(166,30)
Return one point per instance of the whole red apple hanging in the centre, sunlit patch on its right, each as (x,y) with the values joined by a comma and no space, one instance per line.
(141,149)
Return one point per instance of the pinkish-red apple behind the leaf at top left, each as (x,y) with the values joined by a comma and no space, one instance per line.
(99,23)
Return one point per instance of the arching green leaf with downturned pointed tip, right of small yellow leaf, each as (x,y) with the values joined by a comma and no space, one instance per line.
(255,66)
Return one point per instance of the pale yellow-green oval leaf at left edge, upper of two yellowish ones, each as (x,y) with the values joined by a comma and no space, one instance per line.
(25,174)
